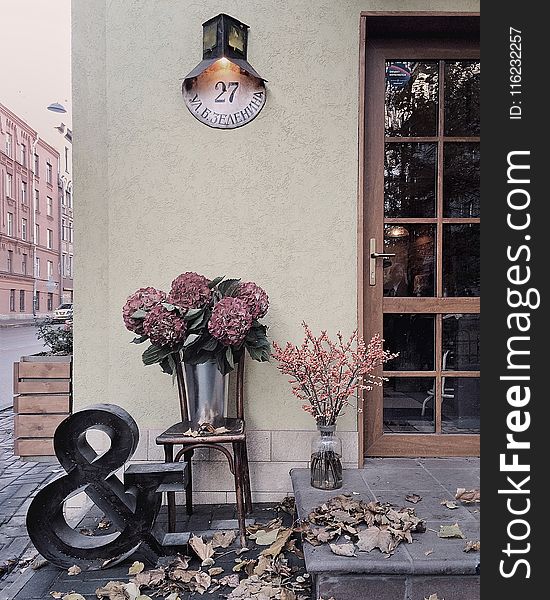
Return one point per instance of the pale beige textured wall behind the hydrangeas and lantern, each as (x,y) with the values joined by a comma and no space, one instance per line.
(160,193)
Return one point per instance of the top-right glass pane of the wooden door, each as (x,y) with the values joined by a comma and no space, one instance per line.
(462,98)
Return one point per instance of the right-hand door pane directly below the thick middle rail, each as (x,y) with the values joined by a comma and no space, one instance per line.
(460,345)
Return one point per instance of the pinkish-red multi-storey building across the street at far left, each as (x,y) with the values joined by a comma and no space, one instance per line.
(30,218)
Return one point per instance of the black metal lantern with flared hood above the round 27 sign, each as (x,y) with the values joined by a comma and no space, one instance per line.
(224,38)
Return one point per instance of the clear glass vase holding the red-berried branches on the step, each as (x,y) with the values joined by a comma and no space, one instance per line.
(326,459)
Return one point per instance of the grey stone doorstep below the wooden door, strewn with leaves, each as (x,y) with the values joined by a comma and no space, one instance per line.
(429,561)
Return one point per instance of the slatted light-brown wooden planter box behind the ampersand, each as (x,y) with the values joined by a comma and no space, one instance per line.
(42,388)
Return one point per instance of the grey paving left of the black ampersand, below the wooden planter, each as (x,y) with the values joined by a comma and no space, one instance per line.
(19,481)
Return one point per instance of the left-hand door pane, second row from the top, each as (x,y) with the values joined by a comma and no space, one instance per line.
(410,179)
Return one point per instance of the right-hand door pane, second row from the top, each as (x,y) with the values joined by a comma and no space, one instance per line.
(461,180)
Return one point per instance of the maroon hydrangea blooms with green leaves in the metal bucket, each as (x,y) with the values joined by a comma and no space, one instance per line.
(199,320)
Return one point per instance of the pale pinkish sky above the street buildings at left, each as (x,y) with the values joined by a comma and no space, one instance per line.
(35,46)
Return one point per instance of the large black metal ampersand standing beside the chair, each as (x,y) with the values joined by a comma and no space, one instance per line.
(131,507)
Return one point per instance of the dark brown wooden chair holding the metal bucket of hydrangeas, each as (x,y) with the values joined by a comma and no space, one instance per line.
(236,453)
